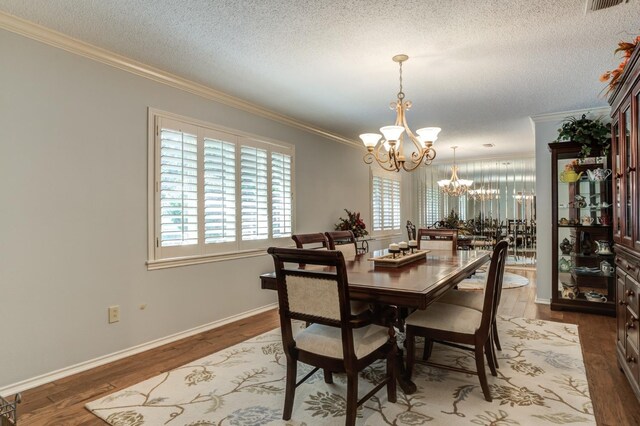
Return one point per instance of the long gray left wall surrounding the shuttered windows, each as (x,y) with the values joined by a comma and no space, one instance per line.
(73,220)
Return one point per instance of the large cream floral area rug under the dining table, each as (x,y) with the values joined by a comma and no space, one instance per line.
(541,381)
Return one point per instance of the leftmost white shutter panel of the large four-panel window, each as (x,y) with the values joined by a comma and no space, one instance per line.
(178,183)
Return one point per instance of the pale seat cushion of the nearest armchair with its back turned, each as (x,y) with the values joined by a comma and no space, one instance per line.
(327,341)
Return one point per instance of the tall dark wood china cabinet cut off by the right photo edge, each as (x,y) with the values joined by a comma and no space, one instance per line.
(625,107)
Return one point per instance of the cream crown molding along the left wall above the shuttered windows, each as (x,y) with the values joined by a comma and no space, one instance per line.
(56,39)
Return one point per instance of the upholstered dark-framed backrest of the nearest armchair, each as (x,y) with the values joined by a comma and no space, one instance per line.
(319,295)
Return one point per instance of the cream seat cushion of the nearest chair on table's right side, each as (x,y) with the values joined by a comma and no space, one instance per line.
(446,317)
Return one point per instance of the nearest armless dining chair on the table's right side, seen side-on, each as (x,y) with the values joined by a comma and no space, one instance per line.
(460,326)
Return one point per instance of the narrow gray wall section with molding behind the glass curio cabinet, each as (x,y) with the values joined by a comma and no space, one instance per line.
(546,131)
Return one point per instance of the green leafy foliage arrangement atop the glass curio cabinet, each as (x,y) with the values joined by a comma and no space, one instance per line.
(589,133)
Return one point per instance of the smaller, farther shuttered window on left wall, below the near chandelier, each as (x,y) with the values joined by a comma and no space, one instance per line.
(385,203)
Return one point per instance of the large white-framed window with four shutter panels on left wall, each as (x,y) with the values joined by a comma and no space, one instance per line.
(215,192)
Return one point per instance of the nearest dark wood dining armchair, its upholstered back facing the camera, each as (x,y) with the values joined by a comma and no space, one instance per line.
(336,341)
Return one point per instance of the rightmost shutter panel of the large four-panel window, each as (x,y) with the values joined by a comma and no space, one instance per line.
(281,212)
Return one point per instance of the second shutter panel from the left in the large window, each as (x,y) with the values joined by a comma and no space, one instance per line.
(219,191)
